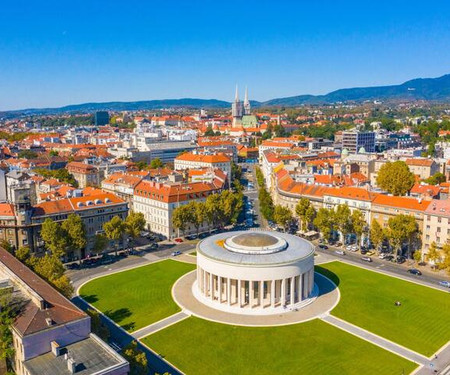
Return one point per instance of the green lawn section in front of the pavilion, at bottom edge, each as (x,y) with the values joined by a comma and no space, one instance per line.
(198,346)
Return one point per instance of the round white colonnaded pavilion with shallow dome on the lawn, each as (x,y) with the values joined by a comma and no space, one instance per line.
(255,272)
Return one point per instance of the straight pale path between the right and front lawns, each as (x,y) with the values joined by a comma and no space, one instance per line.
(377,340)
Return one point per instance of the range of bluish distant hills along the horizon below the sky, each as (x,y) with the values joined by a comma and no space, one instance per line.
(430,89)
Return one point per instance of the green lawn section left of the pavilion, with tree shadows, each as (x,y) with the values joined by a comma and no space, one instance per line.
(138,297)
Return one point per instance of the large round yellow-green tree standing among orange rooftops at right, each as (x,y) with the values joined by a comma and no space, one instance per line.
(395,178)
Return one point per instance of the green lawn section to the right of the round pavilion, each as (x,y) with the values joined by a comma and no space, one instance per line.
(421,323)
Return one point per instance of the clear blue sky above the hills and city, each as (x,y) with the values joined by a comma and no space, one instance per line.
(54,53)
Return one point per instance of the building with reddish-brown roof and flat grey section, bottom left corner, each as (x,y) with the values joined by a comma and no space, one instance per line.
(51,335)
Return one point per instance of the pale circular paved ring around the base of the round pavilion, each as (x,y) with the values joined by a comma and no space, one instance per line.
(327,299)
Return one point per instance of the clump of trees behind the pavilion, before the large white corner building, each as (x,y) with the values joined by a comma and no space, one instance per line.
(220,209)
